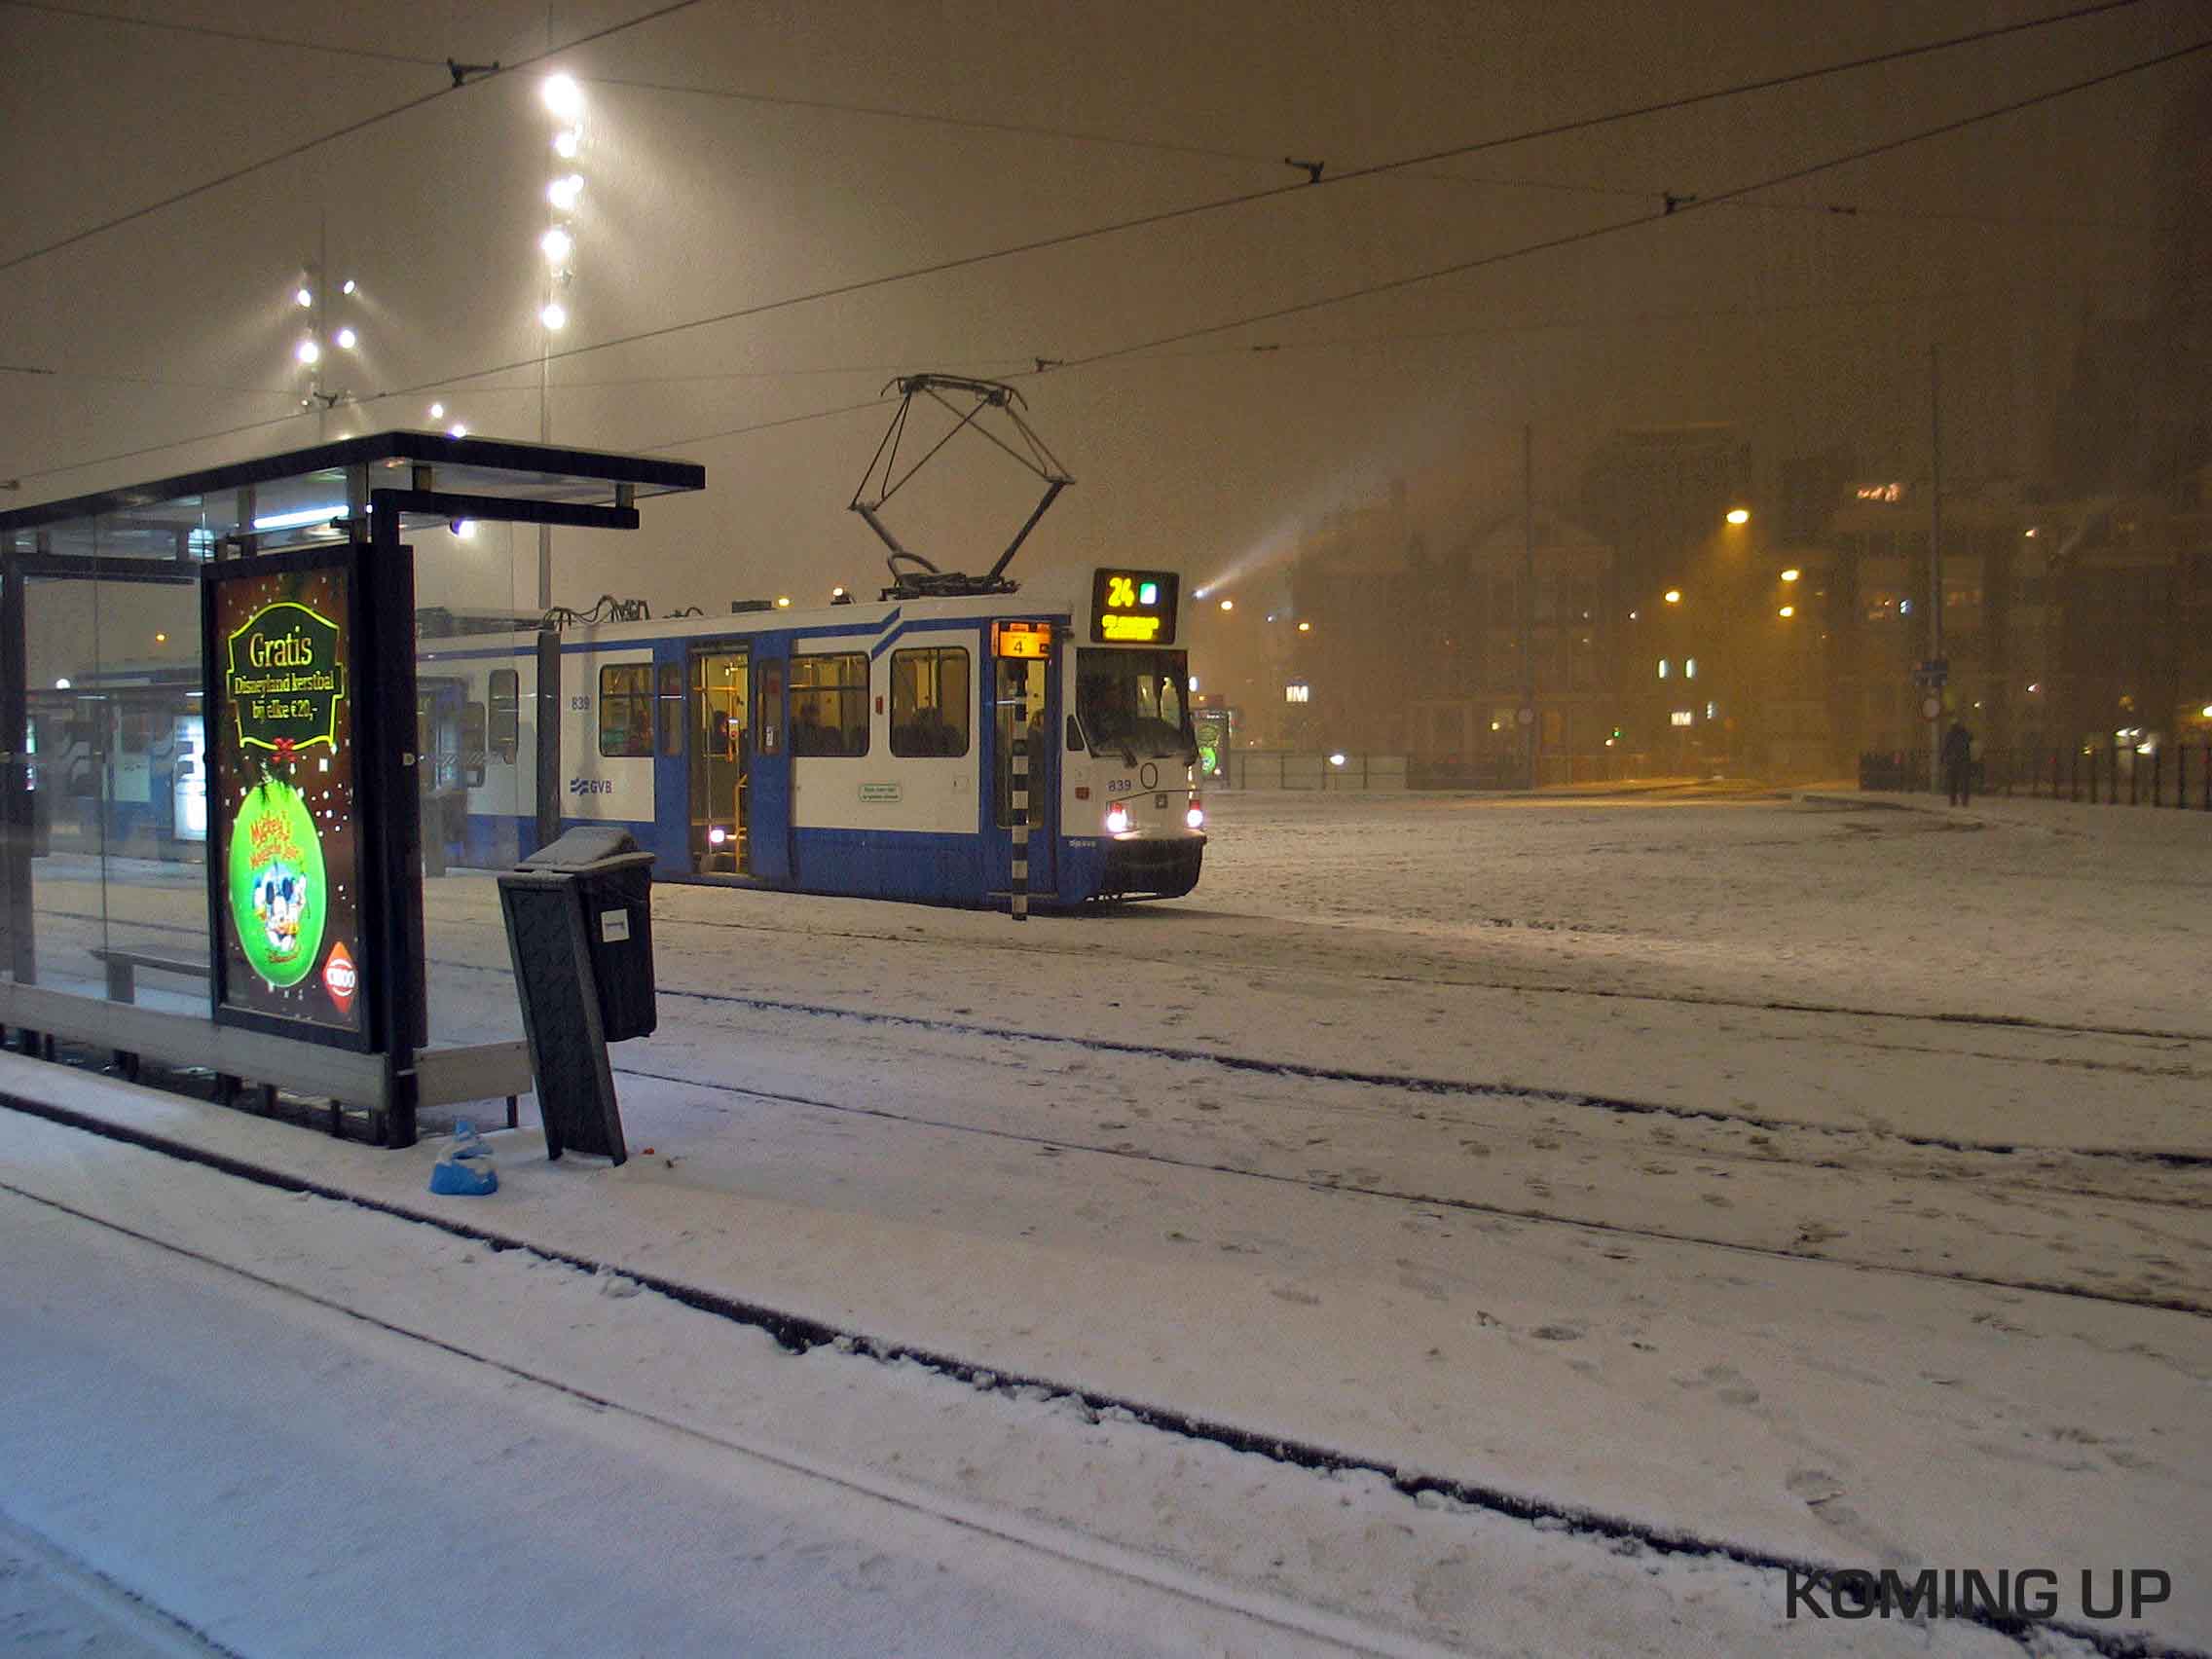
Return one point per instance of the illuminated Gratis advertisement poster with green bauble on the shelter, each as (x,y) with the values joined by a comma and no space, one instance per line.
(286,857)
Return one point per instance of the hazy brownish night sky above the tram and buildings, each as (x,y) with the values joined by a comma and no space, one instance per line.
(837,143)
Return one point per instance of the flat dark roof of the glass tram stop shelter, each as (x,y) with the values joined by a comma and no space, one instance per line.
(182,519)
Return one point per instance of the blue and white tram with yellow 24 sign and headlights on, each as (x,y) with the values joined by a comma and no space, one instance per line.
(864,749)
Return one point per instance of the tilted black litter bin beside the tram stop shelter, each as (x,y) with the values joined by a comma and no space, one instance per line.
(581,935)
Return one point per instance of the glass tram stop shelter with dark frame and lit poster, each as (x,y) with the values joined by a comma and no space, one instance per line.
(229,705)
